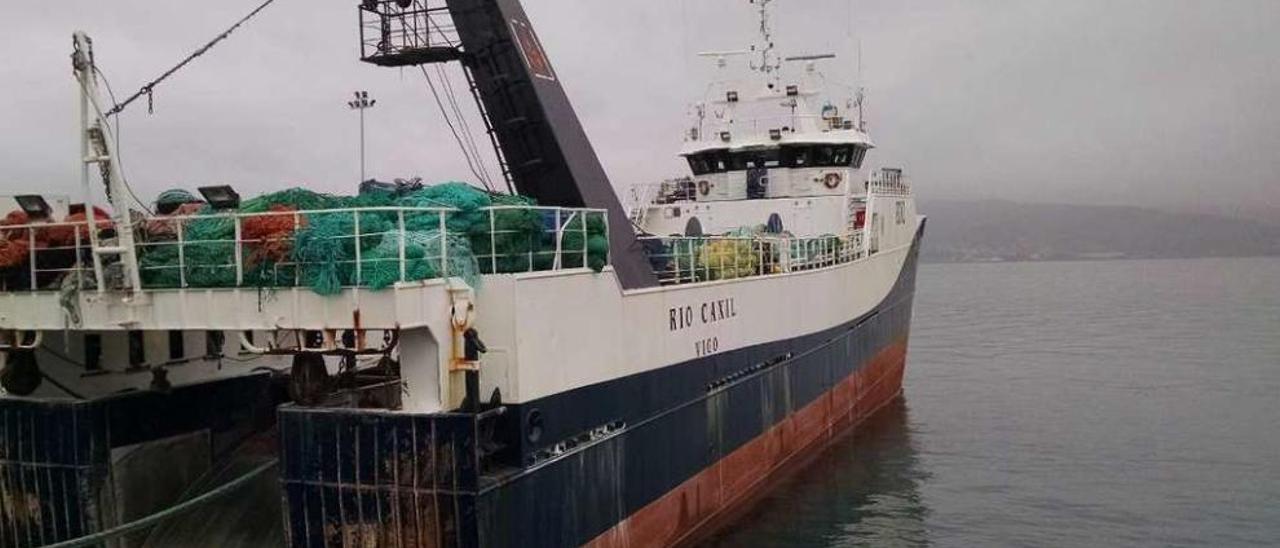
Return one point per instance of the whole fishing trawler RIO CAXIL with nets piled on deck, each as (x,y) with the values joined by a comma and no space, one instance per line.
(556,369)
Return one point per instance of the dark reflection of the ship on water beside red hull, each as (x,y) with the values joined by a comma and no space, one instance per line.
(863,491)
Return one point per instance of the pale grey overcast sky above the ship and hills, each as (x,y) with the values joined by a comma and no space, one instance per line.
(1164,103)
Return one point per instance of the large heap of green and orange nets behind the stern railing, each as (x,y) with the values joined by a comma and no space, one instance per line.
(295,239)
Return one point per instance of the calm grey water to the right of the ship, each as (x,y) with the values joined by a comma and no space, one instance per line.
(1066,404)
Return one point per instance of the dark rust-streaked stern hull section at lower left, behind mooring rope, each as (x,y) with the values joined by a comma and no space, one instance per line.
(75,468)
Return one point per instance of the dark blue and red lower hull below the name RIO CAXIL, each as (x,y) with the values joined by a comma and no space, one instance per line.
(369,478)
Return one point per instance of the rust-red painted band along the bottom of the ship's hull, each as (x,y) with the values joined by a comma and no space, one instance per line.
(733,483)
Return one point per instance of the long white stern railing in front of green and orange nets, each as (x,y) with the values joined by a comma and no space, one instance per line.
(333,249)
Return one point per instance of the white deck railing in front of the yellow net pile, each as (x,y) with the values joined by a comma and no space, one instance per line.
(682,261)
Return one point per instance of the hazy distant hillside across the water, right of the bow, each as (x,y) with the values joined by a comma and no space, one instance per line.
(994,231)
